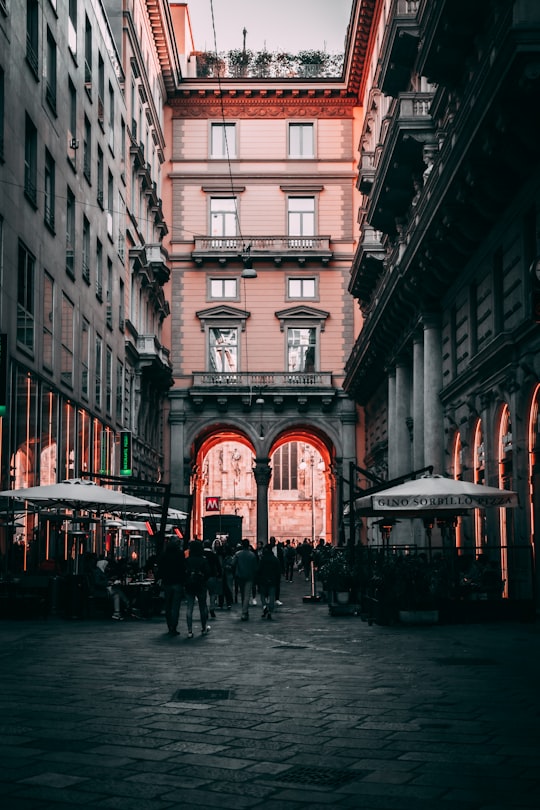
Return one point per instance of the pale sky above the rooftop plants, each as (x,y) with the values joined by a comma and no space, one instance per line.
(287,25)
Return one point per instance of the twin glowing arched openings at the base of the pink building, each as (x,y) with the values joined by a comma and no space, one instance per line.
(299,485)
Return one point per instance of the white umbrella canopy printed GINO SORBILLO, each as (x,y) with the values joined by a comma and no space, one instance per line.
(434,495)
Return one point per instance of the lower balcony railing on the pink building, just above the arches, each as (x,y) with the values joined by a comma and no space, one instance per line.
(257,380)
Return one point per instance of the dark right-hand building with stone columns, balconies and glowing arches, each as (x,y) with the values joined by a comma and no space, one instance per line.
(446,366)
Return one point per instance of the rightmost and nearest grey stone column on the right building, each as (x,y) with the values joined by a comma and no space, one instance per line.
(433,412)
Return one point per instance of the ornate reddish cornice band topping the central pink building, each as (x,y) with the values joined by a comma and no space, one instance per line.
(261,104)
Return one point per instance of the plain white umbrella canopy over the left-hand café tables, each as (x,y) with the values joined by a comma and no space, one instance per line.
(77,493)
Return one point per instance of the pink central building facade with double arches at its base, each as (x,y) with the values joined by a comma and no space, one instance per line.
(262,198)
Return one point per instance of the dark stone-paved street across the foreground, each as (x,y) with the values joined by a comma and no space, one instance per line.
(308,711)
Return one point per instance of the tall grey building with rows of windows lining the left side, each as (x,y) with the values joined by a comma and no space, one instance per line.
(82,267)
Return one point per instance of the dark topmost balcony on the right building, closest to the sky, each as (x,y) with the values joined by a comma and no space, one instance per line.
(399,48)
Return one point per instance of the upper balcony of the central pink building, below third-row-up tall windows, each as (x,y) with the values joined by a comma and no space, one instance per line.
(269,248)
